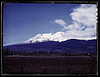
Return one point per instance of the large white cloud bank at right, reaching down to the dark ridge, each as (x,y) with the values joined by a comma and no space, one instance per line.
(84,23)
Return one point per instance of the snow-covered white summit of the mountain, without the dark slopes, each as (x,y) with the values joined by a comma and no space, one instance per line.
(47,37)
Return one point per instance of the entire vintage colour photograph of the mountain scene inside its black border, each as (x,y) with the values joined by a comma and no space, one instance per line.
(49,38)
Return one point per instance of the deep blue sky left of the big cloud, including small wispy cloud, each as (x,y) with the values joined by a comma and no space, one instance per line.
(21,21)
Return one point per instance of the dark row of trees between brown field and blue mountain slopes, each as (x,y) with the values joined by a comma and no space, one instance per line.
(45,53)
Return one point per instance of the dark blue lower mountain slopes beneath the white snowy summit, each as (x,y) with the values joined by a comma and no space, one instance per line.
(72,45)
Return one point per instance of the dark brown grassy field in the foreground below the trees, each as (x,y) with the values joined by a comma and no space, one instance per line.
(49,65)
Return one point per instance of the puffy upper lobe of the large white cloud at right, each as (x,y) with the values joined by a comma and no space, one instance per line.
(85,14)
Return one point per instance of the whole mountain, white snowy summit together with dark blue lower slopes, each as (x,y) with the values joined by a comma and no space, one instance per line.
(57,42)
